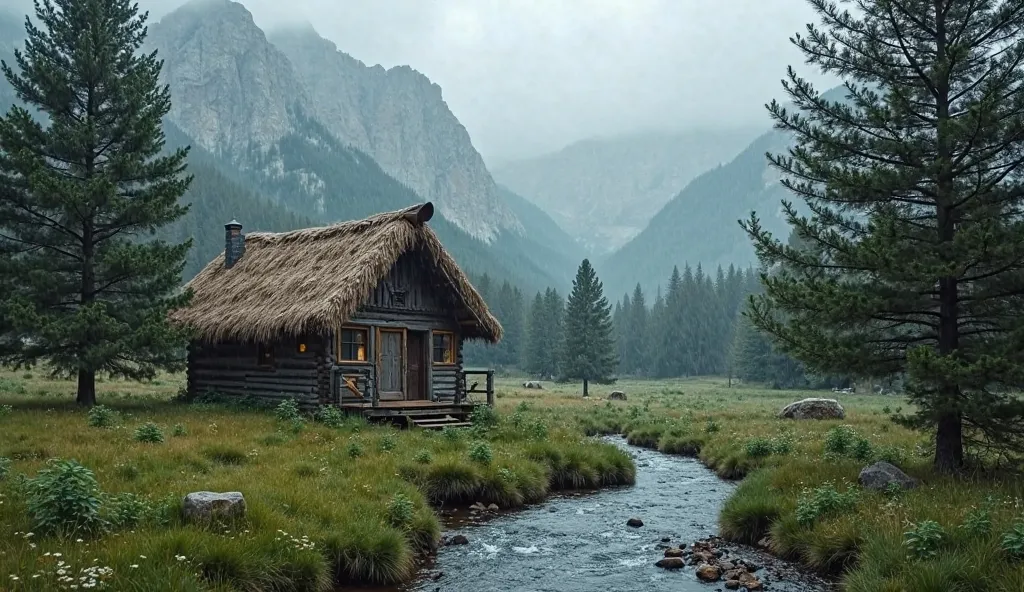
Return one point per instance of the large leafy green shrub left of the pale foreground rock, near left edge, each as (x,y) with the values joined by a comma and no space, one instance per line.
(64,499)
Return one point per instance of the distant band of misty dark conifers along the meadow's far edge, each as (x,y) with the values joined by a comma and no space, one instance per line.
(696,328)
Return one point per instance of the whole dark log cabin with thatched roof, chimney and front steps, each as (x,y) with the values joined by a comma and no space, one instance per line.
(370,316)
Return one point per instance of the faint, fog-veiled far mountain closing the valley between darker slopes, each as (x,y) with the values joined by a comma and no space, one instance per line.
(605,191)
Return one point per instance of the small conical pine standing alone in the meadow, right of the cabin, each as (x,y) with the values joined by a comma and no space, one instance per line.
(589,354)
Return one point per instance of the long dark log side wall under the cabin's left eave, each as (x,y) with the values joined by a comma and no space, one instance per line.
(234,369)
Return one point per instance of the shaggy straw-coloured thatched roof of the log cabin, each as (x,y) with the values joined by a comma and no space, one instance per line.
(314,280)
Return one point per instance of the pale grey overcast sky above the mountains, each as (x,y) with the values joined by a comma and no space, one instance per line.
(531,76)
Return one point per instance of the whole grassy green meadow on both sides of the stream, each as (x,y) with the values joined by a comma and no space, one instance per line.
(337,501)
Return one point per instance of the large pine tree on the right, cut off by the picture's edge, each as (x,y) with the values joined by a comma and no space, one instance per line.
(916,242)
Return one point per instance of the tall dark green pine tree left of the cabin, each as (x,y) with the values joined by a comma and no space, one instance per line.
(83,289)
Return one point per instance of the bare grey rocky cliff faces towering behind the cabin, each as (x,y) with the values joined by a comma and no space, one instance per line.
(239,94)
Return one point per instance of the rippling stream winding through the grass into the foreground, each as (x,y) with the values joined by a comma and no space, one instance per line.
(582,543)
